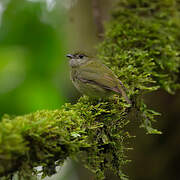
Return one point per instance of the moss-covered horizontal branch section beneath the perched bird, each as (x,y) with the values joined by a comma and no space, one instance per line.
(92,130)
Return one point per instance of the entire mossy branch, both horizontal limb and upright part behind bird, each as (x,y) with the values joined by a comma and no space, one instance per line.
(141,45)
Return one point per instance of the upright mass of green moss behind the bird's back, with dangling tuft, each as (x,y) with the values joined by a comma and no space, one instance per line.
(142,46)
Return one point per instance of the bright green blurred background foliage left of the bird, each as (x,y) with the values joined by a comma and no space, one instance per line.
(32,44)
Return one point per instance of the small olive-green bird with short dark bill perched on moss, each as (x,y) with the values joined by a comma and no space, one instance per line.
(93,78)
